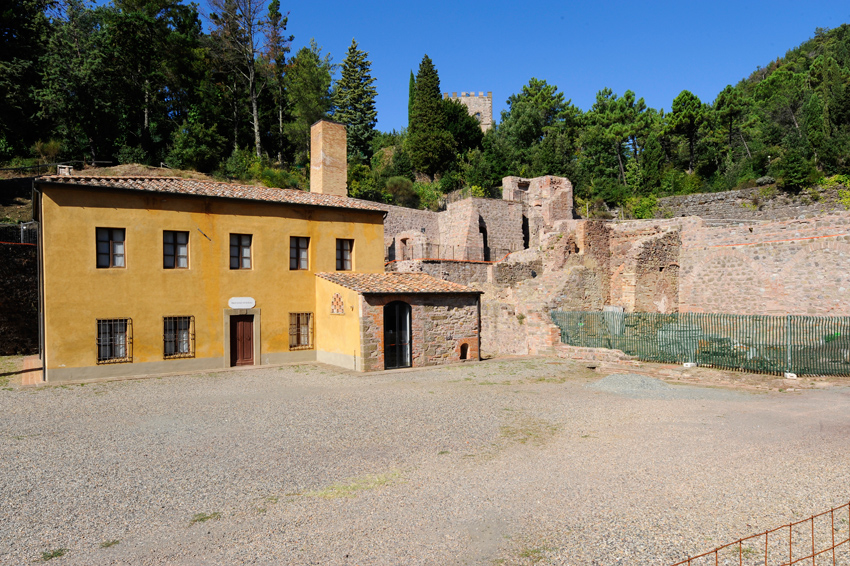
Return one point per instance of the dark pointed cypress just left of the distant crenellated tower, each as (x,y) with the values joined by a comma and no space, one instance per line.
(431,145)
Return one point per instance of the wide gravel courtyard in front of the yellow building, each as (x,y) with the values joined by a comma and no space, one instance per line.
(515,461)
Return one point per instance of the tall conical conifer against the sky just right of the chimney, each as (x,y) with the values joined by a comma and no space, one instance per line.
(354,99)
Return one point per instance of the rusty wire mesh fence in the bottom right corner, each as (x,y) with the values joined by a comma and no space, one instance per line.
(820,540)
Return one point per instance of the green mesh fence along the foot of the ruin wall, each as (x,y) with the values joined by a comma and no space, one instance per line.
(805,345)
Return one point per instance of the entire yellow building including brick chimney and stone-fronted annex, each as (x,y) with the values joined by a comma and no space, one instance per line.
(152,275)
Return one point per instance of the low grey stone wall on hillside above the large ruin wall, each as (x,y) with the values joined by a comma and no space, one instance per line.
(750,204)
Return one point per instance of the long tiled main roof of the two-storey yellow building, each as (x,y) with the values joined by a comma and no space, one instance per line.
(193,187)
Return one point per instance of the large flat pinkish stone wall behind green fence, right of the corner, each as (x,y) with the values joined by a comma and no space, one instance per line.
(784,267)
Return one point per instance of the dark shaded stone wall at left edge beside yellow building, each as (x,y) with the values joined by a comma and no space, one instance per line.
(18,299)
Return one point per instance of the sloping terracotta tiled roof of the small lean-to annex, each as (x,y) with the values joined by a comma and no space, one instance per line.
(393,282)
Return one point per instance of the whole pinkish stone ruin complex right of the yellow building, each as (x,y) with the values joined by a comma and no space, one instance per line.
(530,255)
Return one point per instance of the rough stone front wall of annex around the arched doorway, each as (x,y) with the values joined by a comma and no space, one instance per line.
(440,326)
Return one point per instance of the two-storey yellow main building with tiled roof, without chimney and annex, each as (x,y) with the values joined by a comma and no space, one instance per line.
(154,275)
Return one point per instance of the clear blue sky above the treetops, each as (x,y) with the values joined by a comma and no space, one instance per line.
(656,49)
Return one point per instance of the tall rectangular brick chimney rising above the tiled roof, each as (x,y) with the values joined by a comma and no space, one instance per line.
(328,158)
